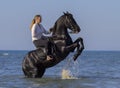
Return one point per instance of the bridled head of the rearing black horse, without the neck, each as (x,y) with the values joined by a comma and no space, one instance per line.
(71,23)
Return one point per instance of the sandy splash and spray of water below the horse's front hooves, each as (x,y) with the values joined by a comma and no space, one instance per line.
(71,69)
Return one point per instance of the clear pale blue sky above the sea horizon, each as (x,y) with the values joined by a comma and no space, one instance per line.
(99,21)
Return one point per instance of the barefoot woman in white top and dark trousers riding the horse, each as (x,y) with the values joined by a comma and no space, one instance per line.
(38,37)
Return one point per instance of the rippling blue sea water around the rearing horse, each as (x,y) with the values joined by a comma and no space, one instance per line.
(93,69)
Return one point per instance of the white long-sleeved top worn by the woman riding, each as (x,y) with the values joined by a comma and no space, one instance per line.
(38,31)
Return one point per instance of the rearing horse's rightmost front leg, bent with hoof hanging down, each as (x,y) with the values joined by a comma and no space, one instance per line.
(80,48)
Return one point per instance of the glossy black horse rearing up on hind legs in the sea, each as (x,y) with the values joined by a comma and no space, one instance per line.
(35,62)
